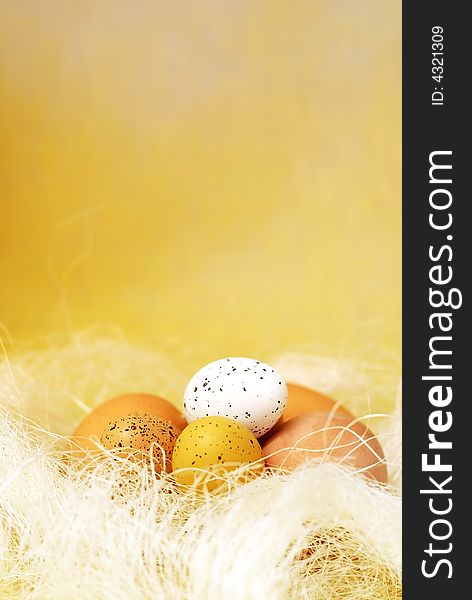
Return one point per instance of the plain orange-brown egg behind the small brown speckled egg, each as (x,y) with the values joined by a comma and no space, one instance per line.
(92,426)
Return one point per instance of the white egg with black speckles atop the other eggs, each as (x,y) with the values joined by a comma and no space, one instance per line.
(244,389)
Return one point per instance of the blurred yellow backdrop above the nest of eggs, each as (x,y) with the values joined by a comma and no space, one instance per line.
(216,177)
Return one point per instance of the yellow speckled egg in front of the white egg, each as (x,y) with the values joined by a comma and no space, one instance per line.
(217,445)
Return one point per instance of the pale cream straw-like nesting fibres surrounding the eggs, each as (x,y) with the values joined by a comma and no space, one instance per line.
(113,531)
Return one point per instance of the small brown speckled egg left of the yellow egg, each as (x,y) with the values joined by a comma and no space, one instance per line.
(137,434)
